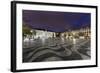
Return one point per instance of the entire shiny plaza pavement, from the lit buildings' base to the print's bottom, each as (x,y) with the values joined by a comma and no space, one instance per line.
(56,49)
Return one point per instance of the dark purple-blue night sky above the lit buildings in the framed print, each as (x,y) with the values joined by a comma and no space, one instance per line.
(56,21)
